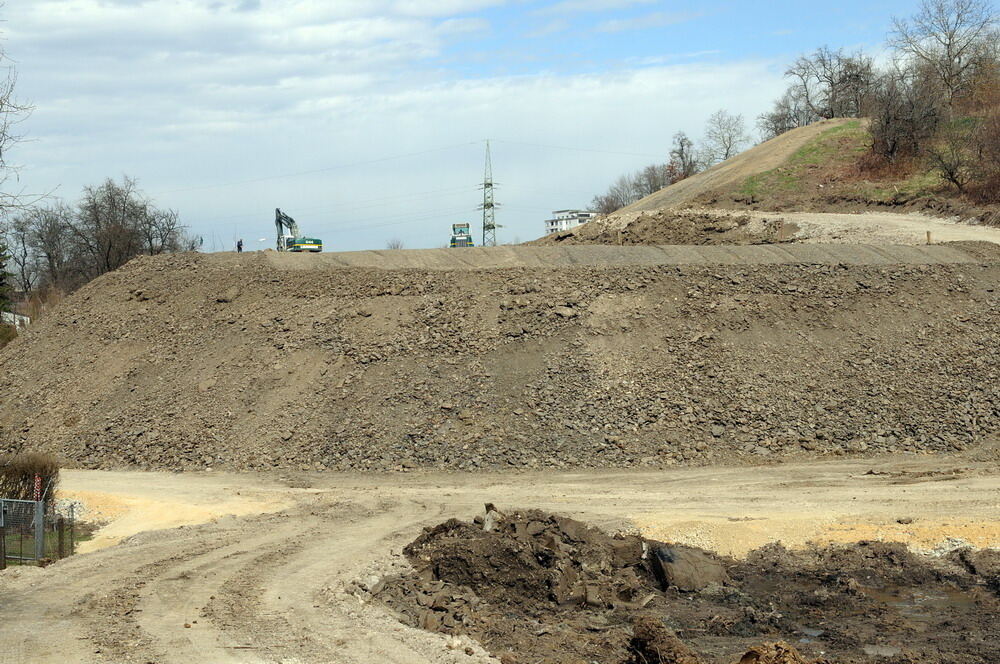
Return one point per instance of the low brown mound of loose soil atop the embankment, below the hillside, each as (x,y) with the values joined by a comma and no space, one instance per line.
(689,227)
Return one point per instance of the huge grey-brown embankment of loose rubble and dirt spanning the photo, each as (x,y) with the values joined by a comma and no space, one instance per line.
(195,361)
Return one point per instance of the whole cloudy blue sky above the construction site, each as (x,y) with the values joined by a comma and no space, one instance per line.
(367,120)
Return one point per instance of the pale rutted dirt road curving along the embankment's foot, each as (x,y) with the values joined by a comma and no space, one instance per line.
(277,587)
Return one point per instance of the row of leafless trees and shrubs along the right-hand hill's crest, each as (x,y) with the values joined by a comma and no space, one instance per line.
(934,107)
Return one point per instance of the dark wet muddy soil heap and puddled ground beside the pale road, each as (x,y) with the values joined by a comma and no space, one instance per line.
(534,587)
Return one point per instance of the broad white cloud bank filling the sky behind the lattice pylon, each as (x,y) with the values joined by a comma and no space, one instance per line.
(185,95)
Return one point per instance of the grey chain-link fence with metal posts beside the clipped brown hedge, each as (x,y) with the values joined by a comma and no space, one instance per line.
(33,531)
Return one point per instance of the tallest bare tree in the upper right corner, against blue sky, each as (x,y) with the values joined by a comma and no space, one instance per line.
(950,37)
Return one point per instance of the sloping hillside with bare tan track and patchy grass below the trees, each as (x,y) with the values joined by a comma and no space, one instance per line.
(812,169)
